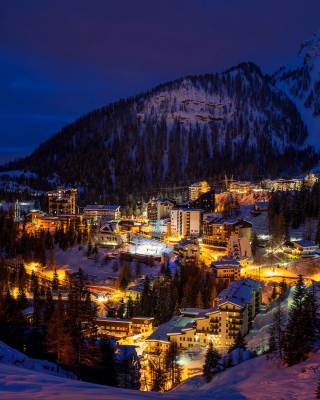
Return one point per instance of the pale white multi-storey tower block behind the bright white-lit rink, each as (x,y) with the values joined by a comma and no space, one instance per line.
(186,222)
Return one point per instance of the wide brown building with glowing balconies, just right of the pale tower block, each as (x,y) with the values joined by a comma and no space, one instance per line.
(216,231)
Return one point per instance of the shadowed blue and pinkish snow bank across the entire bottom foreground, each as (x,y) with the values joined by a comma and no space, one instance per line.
(257,379)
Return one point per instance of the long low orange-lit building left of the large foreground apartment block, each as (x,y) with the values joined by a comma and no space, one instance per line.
(116,328)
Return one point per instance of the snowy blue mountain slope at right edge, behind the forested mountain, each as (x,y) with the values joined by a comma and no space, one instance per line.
(300,80)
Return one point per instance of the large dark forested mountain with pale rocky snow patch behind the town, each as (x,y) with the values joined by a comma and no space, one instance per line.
(195,127)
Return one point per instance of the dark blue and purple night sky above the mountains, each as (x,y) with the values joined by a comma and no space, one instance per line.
(62,59)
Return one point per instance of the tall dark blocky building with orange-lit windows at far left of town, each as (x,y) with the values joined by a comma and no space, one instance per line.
(62,201)
